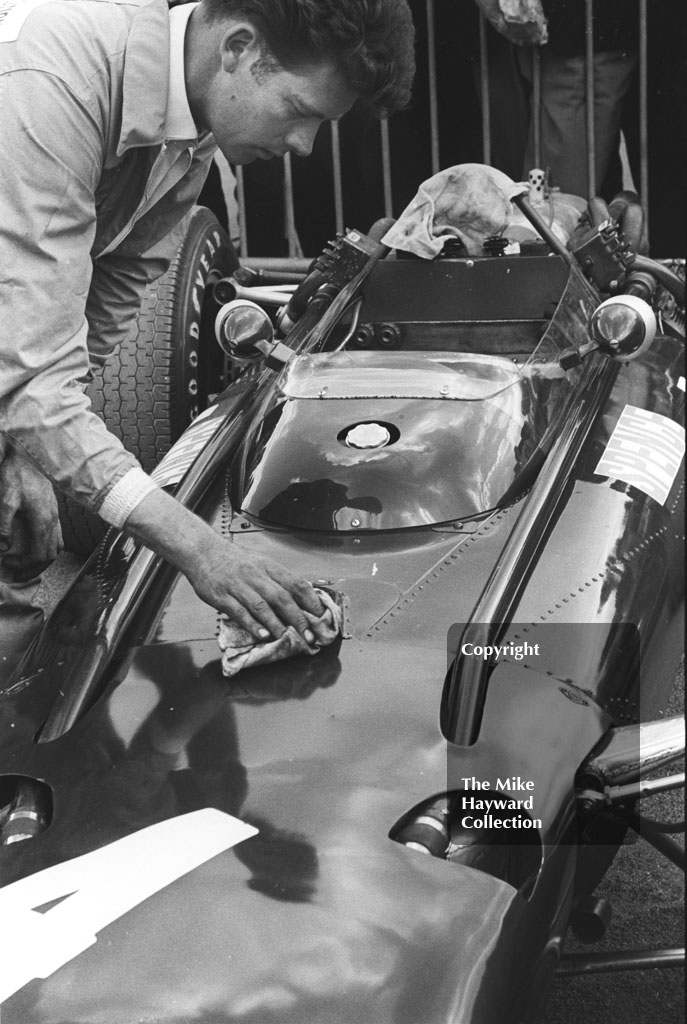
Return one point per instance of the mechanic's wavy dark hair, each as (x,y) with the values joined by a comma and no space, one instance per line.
(372,41)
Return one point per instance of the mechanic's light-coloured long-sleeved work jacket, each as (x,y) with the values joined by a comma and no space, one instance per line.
(92,199)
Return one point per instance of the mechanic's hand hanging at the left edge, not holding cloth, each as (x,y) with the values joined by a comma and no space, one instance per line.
(29,519)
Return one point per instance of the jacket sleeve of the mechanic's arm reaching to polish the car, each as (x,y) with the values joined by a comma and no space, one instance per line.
(51,163)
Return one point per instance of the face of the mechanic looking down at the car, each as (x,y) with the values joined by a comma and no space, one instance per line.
(262,112)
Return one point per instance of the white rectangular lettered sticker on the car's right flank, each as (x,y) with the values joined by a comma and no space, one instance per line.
(646,451)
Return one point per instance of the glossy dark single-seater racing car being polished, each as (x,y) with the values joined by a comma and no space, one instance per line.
(482,457)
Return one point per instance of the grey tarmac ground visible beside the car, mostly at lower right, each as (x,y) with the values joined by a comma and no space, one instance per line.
(646,890)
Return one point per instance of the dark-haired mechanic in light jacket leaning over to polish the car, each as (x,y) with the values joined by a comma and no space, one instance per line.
(110,114)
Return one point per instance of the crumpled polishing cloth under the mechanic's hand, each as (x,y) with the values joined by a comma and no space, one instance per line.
(241,650)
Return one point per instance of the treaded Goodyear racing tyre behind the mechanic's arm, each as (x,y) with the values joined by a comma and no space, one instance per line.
(166,373)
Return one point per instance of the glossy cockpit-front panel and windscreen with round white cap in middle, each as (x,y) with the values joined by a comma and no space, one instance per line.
(394,448)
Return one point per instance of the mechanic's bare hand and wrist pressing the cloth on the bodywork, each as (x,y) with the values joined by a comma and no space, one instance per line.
(257,592)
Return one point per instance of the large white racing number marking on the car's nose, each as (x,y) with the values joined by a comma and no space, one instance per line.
(100,887)
